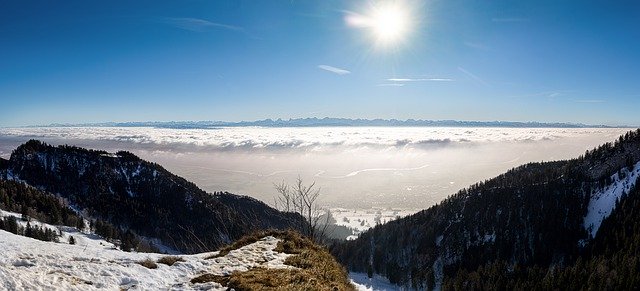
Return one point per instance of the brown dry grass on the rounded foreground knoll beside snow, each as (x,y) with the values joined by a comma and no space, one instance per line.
(317,269)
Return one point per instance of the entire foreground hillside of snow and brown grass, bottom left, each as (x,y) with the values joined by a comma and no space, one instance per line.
(267,261)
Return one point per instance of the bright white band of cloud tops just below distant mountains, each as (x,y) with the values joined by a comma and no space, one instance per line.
(263,139)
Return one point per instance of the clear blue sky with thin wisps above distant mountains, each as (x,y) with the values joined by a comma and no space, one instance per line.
(96,61)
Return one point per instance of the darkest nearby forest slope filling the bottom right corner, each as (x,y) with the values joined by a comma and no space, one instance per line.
(610,262)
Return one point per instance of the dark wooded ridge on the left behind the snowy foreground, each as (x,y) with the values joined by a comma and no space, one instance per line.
(140,196)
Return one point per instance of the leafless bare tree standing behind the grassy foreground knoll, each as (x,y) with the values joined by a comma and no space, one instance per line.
(303,199)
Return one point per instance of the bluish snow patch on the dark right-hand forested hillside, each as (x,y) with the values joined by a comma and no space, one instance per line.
(603,201)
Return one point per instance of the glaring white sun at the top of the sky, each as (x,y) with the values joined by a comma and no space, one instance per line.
(388,23)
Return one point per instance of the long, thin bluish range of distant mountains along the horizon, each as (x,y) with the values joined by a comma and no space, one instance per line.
(327,121)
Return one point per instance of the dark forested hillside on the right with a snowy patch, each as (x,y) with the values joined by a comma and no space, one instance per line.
(540,216)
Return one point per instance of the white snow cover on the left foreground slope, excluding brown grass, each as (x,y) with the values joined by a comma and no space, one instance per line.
(29,264)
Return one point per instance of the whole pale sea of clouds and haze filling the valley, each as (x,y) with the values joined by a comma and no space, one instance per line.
(358,167)
